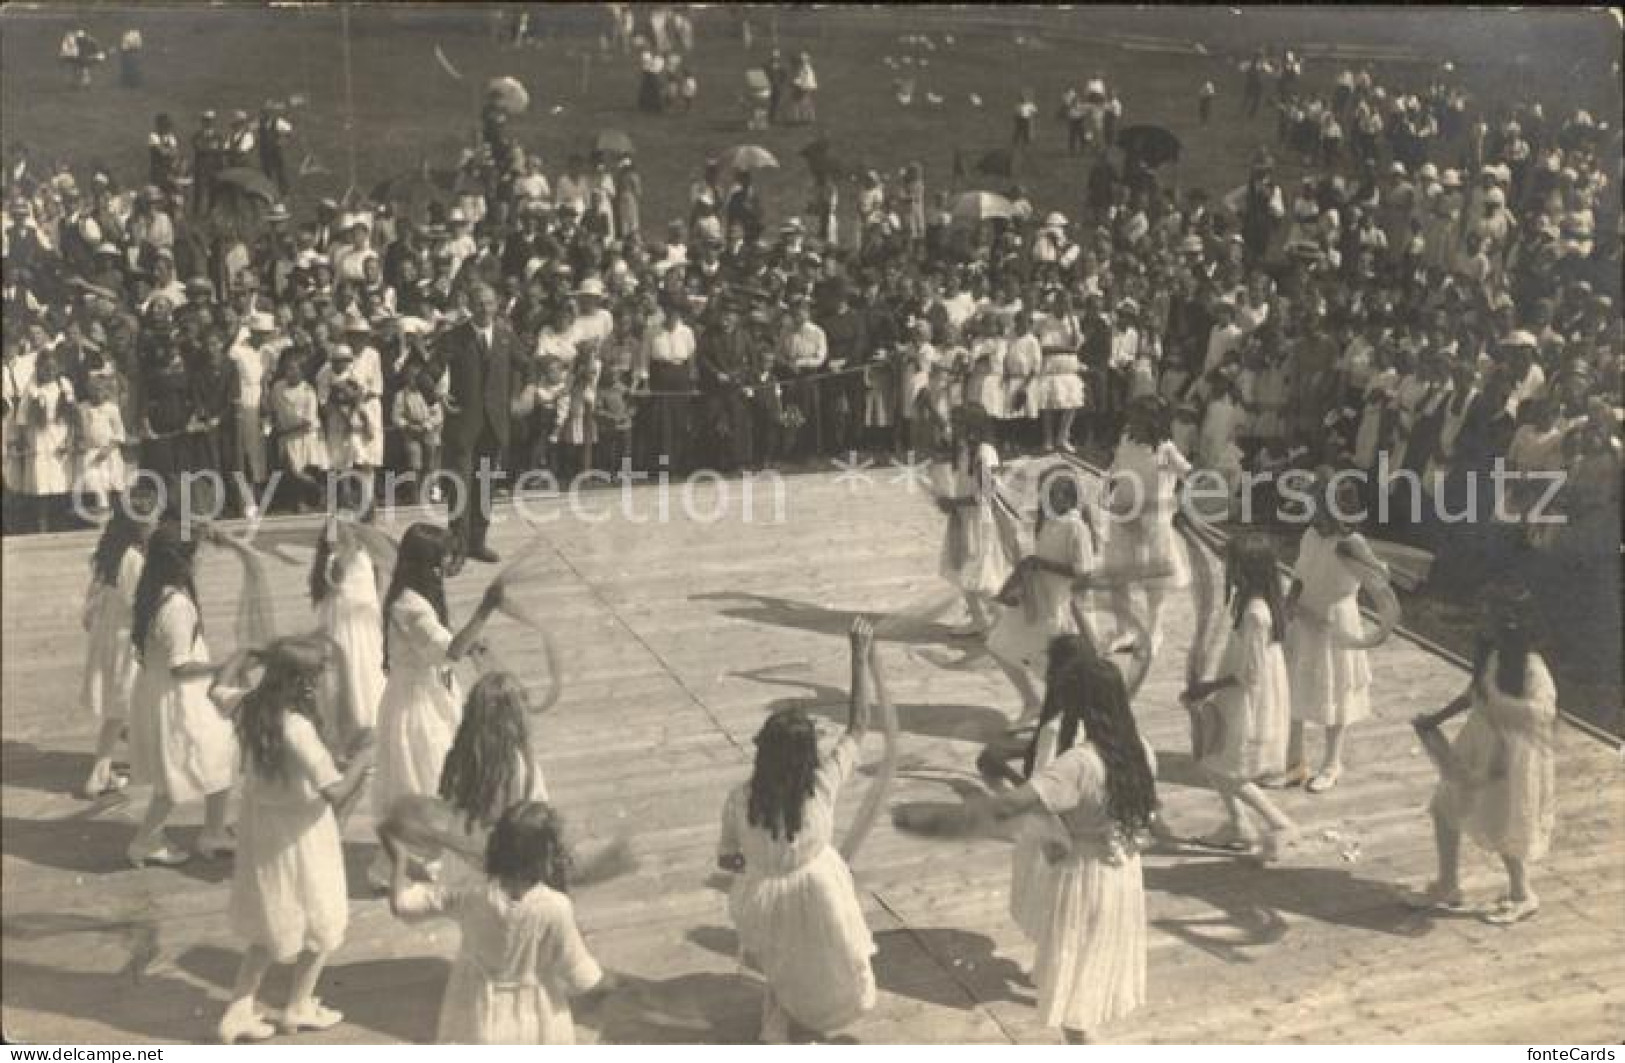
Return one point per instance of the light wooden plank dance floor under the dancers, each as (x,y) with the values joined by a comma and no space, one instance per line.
(678,638)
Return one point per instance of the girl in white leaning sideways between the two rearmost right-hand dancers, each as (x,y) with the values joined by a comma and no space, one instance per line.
(1039,597)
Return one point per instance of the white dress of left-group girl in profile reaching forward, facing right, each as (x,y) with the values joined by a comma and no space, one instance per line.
(422,705)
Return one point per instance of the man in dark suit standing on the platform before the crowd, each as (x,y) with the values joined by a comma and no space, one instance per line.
(480,367)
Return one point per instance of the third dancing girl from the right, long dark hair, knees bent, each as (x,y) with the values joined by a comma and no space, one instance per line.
(1242,714)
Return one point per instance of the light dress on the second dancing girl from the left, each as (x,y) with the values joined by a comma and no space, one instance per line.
(180,742)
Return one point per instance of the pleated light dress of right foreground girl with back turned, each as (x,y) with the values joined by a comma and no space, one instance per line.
(1091,963)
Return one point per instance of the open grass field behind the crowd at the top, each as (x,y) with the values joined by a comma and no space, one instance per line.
(409,108)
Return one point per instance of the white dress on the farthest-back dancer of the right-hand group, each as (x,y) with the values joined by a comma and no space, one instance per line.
(1145,500)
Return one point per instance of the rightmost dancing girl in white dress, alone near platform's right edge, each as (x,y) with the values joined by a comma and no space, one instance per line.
(1497,778)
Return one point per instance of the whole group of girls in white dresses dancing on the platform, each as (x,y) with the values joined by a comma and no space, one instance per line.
(305,726)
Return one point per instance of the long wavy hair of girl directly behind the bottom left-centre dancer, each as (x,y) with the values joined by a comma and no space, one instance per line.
(490,768)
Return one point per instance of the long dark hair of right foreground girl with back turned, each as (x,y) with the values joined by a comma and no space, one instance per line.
(1090,693)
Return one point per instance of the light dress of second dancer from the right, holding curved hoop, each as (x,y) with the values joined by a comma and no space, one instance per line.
(1332,680)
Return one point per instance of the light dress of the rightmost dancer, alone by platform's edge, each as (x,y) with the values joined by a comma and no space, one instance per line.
(1506,797)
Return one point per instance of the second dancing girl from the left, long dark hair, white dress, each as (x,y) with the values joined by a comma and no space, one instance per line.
(180,740)
